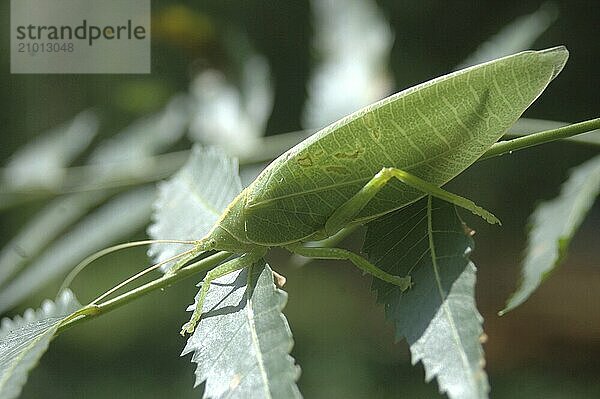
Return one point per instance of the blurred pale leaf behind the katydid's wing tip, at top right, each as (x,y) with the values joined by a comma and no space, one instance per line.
(516,36)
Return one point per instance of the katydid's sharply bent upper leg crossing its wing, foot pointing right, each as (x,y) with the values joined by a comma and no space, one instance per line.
(348,211)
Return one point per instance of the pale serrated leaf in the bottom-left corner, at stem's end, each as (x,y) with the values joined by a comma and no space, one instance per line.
(24,339)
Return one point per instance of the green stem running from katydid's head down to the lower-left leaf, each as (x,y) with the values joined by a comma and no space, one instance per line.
(91,311)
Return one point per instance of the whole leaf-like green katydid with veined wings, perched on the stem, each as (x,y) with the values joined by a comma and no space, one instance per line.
(372,162)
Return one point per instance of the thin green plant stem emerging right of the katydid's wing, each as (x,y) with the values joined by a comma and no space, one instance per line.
(507,147)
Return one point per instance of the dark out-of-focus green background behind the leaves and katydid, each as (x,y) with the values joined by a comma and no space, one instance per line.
(548,348)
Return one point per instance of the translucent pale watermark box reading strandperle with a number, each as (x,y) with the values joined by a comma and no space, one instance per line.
(80,36)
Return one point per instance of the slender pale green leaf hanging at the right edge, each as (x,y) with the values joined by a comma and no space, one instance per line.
(552,226)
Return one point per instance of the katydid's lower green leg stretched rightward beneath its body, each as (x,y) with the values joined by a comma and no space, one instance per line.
(363,264)
